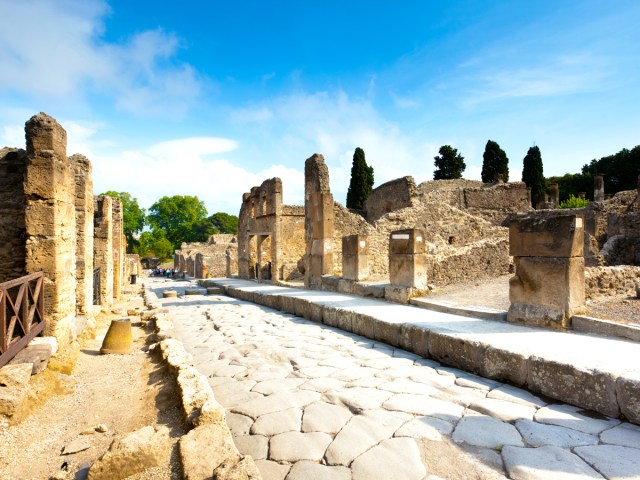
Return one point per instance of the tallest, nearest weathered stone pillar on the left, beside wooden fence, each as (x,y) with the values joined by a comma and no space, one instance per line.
(49,187)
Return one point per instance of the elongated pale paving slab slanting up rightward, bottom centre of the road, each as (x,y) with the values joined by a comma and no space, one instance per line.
(361,433)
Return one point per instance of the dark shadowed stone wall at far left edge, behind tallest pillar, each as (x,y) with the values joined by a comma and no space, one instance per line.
(12,214)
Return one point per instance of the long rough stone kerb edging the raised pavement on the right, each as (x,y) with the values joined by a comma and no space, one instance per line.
(590,388)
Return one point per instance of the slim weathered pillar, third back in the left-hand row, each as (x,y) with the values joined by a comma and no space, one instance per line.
(103,248)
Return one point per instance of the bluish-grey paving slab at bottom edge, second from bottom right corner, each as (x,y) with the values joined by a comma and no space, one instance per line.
(545,463)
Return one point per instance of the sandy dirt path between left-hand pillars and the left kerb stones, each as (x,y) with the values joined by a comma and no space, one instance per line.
(121,392)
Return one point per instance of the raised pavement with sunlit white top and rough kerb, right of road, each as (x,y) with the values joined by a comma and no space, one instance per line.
(593,372)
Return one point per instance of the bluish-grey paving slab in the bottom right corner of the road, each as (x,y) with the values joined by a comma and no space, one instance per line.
(613,461)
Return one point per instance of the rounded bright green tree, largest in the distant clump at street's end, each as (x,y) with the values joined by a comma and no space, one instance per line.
(176,216)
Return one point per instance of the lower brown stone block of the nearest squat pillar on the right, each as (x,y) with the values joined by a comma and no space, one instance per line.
(546,291)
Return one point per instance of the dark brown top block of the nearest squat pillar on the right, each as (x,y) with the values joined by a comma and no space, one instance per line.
(547,236)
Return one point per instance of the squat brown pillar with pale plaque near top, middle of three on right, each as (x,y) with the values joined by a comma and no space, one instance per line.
(407,259)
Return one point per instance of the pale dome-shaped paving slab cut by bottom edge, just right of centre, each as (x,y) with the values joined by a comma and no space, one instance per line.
(393,459)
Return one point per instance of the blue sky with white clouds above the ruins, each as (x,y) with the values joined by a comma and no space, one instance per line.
(209,98)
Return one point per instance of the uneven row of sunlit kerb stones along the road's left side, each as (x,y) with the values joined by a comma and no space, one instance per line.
(204,417)
